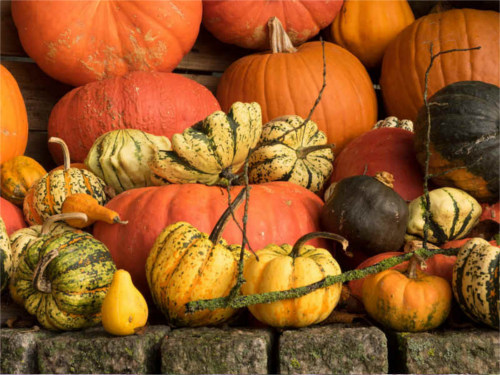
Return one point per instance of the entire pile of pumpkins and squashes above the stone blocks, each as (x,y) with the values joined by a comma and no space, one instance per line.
(166,182)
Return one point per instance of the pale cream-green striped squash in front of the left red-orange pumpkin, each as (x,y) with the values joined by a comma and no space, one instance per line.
(121,157)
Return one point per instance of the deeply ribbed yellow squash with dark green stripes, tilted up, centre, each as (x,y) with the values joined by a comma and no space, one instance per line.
(205,152)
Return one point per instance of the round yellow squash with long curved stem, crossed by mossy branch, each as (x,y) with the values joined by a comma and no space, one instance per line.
(285,267)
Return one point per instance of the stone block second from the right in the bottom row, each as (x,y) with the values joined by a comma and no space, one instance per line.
(333,349)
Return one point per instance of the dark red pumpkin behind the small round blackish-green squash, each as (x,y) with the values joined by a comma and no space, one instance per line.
(385,149)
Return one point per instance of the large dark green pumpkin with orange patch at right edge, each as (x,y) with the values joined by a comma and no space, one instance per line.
(464,138)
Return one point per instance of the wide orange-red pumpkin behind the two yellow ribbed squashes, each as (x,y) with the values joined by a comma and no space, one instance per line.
(279,212)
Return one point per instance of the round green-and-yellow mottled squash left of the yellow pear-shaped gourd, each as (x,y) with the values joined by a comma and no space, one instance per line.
(63,280)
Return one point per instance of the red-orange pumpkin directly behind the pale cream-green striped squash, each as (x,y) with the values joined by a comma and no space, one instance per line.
(156,103)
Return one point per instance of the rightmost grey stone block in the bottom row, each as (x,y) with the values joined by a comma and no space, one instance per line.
(467,351)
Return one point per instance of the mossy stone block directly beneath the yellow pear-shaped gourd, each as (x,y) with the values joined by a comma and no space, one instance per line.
(94,351)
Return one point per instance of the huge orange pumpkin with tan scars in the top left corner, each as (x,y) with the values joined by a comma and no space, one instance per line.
(90,41)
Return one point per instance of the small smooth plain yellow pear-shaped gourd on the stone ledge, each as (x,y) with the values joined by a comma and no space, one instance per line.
(124,309)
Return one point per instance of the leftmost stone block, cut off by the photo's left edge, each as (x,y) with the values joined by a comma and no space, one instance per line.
(18,350)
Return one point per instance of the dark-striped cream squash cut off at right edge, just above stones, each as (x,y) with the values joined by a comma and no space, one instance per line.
(476,281)
